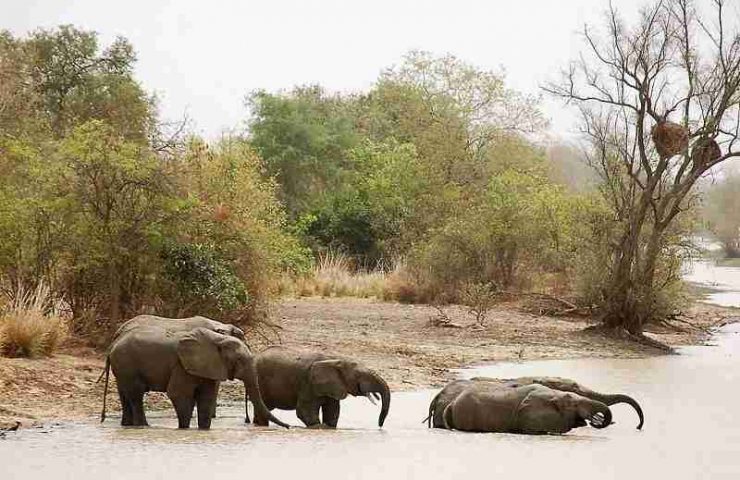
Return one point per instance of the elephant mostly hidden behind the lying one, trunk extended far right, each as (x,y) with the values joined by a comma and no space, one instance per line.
(453,389)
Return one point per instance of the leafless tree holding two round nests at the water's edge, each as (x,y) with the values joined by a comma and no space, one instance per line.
(660,106)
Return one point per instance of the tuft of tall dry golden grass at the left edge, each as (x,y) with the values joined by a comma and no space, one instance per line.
(32,323)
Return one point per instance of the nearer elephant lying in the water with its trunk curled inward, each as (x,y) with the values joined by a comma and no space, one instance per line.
(531,409)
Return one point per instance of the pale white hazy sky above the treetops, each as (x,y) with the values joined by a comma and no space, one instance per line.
(203,56)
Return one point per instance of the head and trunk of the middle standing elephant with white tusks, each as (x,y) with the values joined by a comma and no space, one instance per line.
(337,378)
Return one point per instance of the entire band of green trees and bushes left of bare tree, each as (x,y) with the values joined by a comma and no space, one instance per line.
(434,173)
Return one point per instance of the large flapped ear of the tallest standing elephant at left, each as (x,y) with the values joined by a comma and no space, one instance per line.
(199,354)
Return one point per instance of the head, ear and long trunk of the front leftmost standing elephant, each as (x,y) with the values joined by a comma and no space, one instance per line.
(208,354)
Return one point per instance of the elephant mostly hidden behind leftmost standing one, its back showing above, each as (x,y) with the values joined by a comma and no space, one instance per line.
(175,325)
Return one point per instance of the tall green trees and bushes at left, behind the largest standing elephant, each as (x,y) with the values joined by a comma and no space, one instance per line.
(113,214)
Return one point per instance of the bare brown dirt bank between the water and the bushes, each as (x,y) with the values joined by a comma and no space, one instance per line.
(400,341)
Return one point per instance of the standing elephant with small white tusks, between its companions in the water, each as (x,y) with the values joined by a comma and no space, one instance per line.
(309,382)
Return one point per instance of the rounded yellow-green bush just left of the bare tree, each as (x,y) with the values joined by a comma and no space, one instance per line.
(519,226)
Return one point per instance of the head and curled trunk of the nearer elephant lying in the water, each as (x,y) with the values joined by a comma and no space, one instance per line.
(544,410)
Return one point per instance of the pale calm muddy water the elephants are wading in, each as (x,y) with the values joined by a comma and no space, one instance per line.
(692,431)
